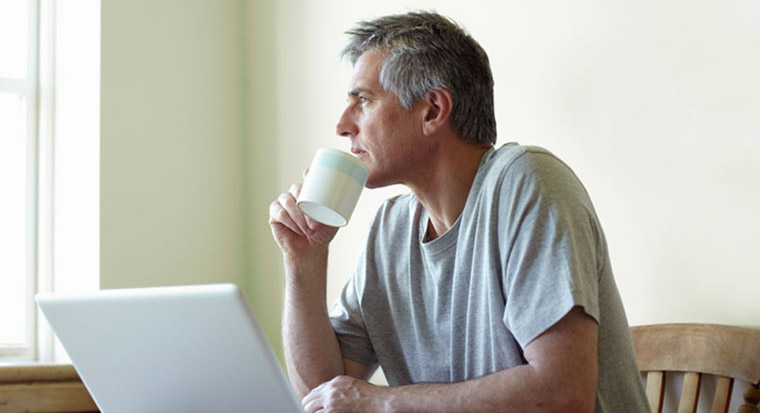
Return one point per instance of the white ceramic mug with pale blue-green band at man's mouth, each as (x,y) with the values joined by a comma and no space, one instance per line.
(332,187)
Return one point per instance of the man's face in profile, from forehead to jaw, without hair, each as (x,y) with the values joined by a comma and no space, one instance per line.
(387,137)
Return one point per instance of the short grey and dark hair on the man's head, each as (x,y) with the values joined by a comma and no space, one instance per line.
(429,51)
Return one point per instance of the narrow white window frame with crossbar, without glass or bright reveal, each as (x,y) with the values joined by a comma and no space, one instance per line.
(36,88)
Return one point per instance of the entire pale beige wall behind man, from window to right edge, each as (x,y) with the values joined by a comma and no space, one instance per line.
(211,108)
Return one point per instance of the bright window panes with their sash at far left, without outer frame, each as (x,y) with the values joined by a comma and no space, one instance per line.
(18,116)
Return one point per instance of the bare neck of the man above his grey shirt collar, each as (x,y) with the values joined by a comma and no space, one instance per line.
(444,185)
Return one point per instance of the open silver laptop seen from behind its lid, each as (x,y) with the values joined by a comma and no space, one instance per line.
(170,349)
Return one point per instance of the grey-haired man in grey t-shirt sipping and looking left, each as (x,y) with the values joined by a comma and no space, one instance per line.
(487,288)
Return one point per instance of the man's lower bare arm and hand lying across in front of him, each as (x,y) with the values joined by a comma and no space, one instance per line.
(561,375)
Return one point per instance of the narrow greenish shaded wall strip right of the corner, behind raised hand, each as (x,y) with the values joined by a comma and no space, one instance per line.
(261,148)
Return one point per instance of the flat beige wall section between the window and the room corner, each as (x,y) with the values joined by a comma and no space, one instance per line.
(171,156)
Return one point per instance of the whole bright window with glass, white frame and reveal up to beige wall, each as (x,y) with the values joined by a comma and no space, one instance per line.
(49,164)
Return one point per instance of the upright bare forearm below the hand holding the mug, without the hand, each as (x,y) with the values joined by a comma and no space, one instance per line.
(312,353)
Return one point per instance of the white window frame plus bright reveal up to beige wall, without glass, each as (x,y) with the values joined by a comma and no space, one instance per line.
(63,185)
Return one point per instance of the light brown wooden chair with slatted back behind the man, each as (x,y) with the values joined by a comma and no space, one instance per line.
(695,349)
